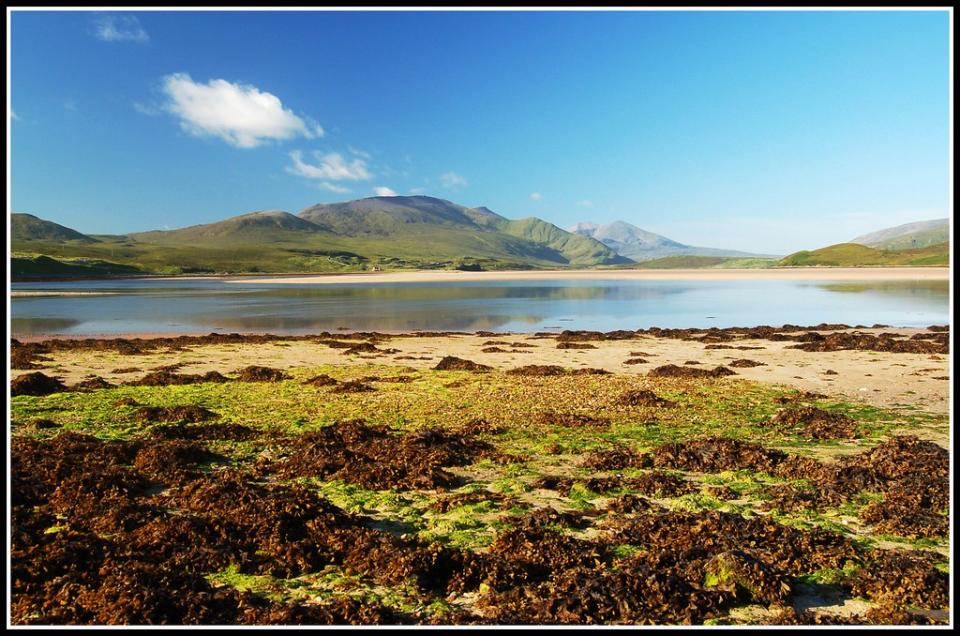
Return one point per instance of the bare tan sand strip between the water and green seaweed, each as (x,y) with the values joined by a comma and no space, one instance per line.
(865,375)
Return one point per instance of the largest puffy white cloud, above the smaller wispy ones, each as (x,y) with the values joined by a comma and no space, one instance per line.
(240,114)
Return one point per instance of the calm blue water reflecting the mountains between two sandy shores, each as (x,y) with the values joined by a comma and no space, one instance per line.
(208,305)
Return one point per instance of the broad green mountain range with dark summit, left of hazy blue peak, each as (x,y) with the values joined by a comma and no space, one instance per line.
(388,232)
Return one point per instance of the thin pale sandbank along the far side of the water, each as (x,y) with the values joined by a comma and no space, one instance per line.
(785,273)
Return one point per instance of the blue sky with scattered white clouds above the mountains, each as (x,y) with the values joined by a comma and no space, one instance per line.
(760,131)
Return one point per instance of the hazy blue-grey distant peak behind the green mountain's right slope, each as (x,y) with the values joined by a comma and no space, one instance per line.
(640,245)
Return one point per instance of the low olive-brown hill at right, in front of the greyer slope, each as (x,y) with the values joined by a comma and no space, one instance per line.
(856,255)
